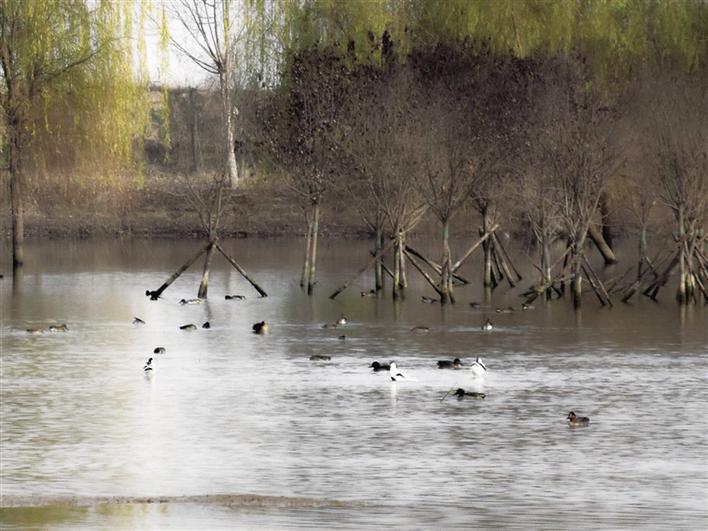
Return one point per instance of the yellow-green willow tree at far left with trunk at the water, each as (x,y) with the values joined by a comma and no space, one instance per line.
(64,58)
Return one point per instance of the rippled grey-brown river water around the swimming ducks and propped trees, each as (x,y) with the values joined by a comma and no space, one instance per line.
(231,412)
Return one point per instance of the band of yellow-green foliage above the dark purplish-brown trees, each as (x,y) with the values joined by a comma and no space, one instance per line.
(612,35)
